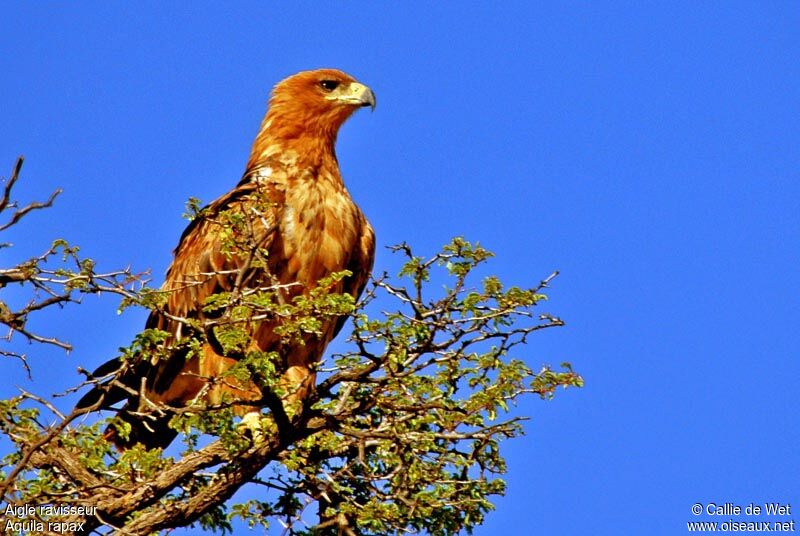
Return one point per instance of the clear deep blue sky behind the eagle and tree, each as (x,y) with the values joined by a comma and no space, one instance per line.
(648,152)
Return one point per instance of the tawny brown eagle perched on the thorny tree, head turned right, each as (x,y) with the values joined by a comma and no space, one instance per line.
(303,225)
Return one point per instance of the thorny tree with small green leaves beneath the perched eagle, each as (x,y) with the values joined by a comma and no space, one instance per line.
(402,433)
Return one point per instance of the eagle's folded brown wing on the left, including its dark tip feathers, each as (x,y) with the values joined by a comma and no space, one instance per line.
(203,265)
